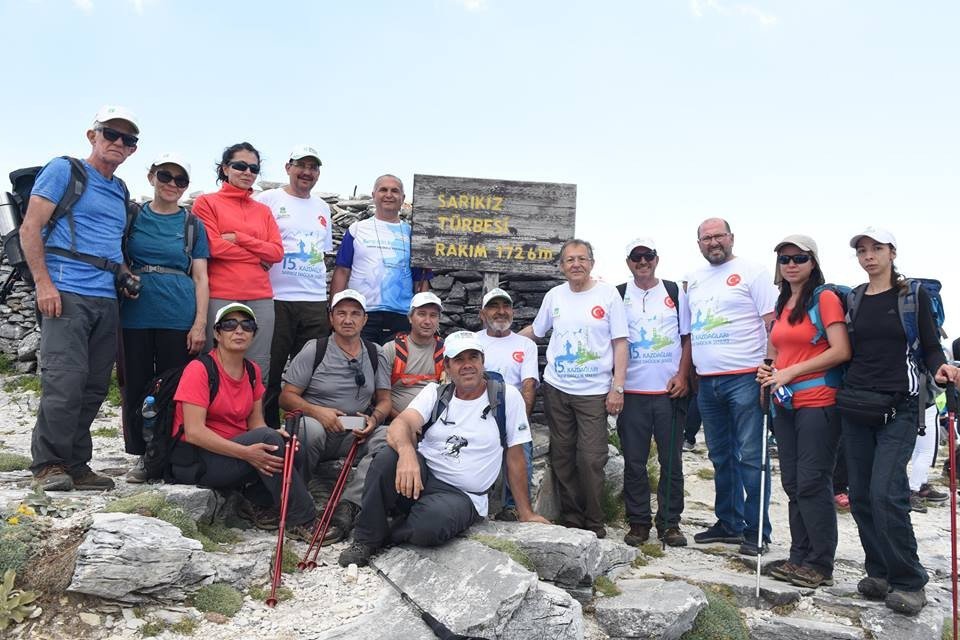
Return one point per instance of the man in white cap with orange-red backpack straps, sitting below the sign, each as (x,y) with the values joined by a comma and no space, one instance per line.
(416,358)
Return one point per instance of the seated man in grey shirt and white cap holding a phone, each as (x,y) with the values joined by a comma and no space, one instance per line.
(344,385)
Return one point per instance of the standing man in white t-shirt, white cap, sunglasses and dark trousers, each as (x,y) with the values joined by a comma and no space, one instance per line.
(654,404)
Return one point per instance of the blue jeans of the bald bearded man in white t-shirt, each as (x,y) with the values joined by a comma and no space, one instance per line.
(733,426)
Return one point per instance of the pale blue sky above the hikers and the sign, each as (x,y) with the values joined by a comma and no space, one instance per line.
(813,116)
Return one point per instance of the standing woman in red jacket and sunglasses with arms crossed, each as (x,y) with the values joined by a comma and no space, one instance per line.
(244,242)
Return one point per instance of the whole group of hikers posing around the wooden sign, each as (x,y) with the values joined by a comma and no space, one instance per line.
(234,295)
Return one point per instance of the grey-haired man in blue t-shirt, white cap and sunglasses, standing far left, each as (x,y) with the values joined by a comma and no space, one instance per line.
(77,300)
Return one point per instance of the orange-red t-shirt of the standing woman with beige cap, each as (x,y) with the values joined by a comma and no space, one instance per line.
(792,342)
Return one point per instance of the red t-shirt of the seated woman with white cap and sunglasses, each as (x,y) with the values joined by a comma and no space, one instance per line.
(227,416)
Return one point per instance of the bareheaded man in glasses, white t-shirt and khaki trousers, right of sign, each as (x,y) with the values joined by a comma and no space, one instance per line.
(583,381)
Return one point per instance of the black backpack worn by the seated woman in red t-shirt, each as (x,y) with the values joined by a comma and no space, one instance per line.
(160,439)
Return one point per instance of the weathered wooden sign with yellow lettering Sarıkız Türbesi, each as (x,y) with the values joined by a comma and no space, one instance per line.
(490,225)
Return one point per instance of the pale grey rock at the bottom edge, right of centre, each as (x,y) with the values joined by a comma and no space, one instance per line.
(650,609)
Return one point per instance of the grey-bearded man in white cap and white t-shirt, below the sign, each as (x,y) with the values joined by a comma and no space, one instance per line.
(515,358)
